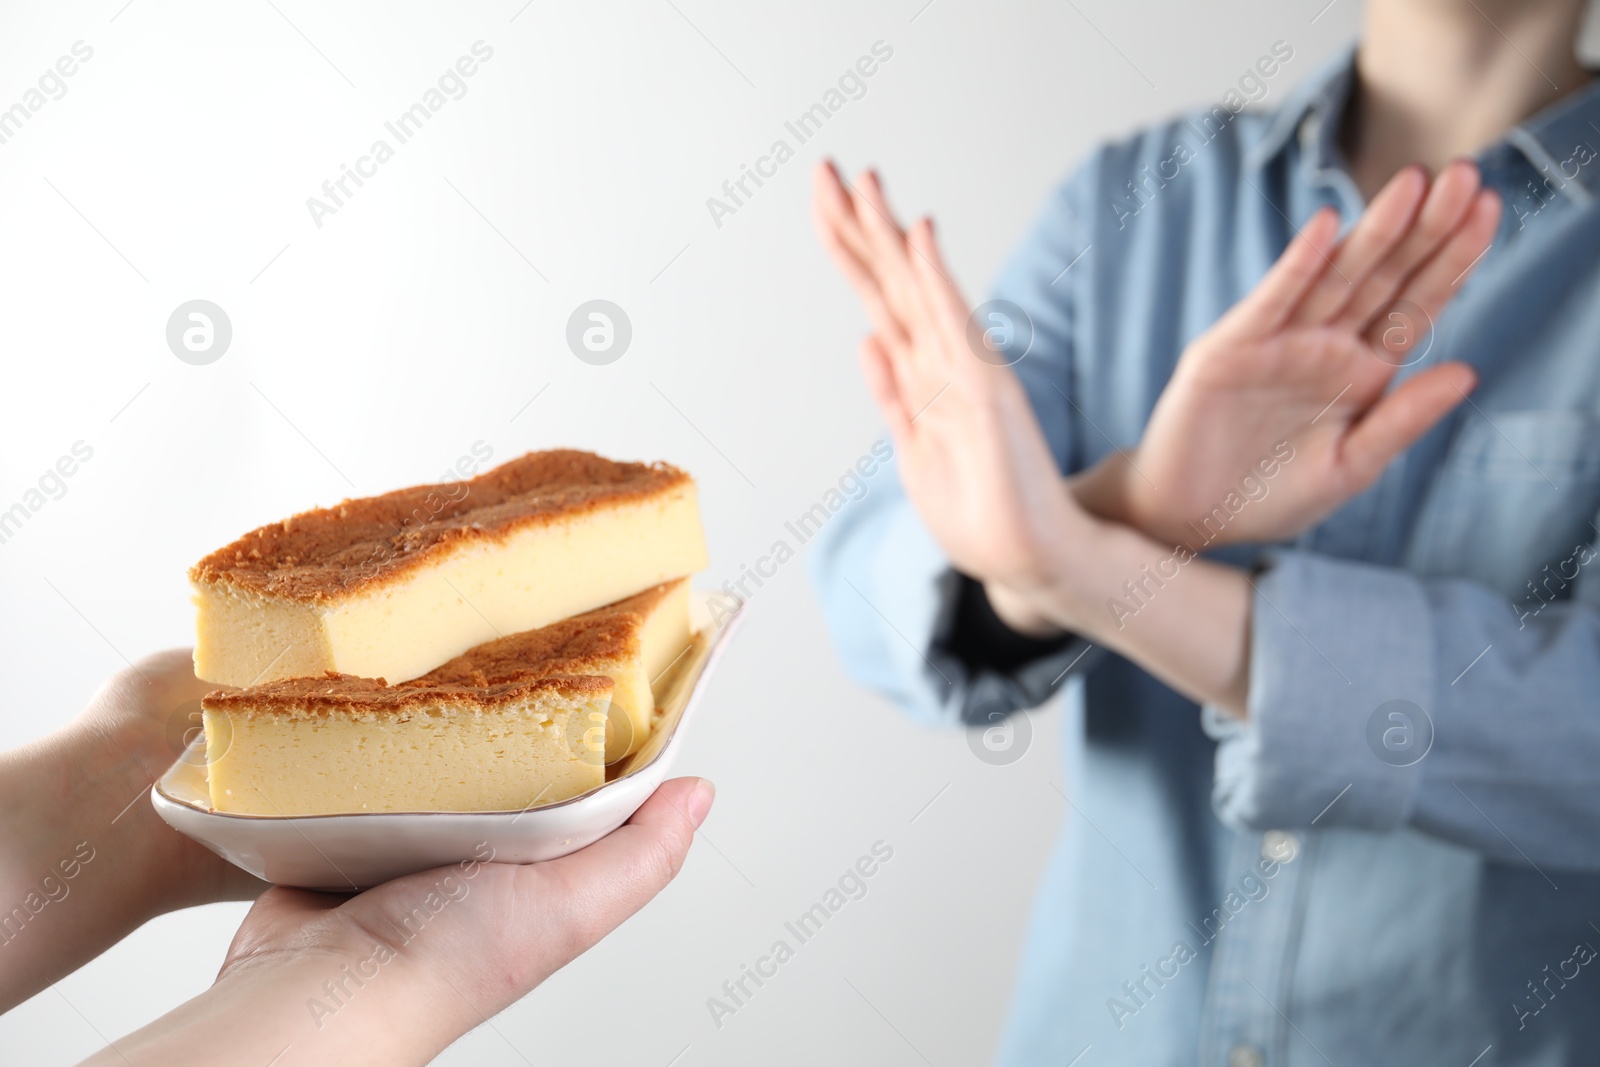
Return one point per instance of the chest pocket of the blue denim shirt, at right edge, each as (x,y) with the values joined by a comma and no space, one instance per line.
(1518,492)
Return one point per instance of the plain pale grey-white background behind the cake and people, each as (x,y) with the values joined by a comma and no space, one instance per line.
(425,318)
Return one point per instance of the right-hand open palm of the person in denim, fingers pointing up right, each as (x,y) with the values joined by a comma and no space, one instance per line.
(1300,370)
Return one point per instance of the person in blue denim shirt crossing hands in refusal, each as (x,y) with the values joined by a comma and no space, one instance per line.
(1278,450)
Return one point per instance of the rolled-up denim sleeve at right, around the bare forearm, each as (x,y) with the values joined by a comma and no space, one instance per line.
(1382,700)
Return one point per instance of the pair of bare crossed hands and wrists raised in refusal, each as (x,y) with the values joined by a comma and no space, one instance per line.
(1303,362)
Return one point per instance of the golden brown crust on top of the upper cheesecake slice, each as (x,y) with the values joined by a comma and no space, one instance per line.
(335,553)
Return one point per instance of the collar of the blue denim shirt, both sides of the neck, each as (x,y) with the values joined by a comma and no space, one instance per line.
(1562,142)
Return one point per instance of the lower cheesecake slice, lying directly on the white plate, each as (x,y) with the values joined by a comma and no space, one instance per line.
(527,719)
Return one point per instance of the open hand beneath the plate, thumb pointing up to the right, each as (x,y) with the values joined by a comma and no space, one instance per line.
(398,973)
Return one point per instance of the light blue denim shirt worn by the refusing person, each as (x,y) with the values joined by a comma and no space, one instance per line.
(1398,858)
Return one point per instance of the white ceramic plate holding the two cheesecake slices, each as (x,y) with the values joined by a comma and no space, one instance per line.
(356,852)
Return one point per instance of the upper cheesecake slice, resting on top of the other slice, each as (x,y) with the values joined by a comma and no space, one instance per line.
(393,586)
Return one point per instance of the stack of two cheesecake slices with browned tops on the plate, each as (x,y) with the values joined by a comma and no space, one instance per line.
(482,645)
